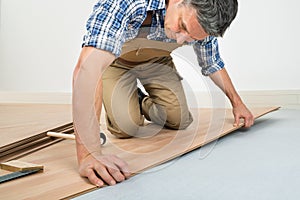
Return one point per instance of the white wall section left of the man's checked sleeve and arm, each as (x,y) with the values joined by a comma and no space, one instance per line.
(40,42)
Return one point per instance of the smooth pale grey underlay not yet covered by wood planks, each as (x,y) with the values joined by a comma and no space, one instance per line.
(259,163)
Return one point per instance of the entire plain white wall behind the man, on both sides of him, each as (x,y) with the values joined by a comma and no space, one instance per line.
(40,42)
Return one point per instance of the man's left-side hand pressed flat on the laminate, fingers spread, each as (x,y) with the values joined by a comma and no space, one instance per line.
(105,169)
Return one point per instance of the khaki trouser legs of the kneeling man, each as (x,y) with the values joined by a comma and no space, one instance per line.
(166,104)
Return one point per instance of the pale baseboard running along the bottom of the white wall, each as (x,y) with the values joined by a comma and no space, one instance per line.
(285,99)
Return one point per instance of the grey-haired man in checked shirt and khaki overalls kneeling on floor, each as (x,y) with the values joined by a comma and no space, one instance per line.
(111,44)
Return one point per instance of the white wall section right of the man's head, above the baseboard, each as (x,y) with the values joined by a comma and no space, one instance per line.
(261,49)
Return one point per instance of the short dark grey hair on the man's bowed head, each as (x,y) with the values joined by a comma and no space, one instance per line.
(215,16)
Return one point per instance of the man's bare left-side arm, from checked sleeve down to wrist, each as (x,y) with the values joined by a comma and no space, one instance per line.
(87,100)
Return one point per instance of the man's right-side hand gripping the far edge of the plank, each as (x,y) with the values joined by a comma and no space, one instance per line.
(241,111)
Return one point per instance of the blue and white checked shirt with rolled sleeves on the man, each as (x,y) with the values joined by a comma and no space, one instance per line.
(113,22)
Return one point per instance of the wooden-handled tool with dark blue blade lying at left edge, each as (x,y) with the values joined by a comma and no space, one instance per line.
(18,169)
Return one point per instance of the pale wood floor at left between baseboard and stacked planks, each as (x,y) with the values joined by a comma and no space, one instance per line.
(22,121)
